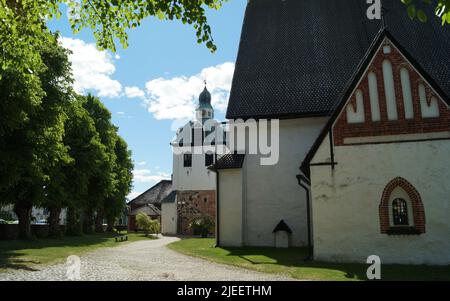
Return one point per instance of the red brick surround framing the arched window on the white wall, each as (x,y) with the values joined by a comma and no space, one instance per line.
(416,205)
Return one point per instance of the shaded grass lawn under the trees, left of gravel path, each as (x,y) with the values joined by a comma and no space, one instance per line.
(31,254)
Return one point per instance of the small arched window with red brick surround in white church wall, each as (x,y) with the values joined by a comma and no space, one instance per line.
(401,209)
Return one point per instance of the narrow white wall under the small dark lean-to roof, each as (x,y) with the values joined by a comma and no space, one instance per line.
(230,207)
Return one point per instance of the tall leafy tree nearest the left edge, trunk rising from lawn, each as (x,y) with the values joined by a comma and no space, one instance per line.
(34,145)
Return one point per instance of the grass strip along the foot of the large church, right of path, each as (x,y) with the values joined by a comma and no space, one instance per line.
(290,262)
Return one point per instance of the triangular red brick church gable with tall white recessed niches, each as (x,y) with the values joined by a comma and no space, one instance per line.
(392,102)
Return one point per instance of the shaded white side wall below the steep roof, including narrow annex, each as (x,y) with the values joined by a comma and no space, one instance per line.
(269,193)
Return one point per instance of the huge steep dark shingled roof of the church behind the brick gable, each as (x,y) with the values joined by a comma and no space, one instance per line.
(296,57)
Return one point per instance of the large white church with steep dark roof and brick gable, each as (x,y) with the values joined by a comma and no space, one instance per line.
(364,110)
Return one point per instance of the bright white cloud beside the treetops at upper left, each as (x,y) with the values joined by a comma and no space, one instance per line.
(92,69)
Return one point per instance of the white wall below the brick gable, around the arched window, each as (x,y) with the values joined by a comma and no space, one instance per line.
(345,202)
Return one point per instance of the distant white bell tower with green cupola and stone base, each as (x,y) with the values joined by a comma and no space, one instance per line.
(193,184)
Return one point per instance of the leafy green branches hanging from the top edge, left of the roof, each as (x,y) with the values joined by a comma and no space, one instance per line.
(112,19)
